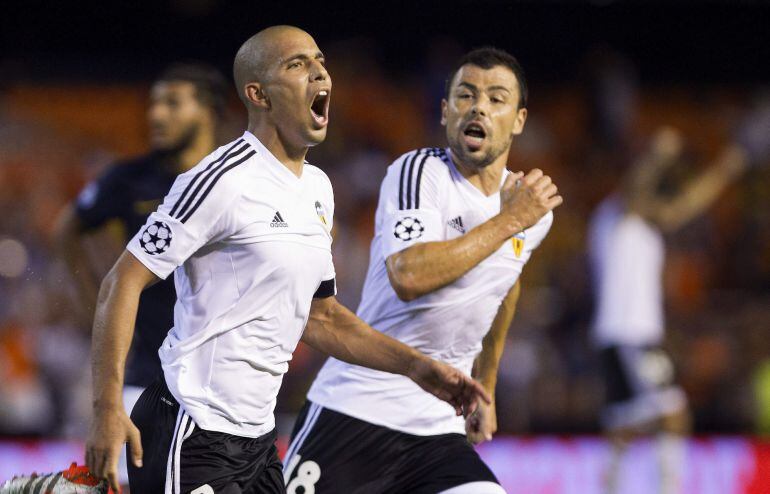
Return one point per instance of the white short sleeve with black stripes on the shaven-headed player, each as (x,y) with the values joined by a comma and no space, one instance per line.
(189,217)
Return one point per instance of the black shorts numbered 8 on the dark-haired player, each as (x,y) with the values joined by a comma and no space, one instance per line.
(336,453)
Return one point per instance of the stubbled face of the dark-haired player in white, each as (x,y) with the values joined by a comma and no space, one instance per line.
(482,114)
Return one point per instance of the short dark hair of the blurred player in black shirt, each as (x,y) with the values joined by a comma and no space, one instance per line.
(210,85)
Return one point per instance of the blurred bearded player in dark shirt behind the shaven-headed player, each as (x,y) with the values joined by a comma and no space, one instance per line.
(186,103)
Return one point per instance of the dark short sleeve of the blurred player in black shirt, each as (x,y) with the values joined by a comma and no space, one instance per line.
(101,199)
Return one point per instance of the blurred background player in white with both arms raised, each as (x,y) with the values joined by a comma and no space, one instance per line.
(627,250)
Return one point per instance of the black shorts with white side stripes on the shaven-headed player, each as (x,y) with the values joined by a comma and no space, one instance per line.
(180,457)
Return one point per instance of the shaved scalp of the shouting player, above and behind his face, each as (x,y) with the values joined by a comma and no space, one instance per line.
(256,54)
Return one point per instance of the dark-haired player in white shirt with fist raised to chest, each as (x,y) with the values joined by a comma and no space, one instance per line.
(453,231)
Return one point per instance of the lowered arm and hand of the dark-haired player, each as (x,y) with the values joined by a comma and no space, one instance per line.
(482,424)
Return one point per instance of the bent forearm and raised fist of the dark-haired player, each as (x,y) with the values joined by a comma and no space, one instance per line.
(426,267)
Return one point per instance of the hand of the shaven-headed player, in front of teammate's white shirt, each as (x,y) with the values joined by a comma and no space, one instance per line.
(448,384)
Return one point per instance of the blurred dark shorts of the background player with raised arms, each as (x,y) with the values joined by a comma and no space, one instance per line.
(640,386)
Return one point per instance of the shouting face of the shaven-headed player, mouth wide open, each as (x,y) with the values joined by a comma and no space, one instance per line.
(299,89)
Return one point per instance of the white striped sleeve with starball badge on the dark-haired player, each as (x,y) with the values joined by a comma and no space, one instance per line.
(409,207)
